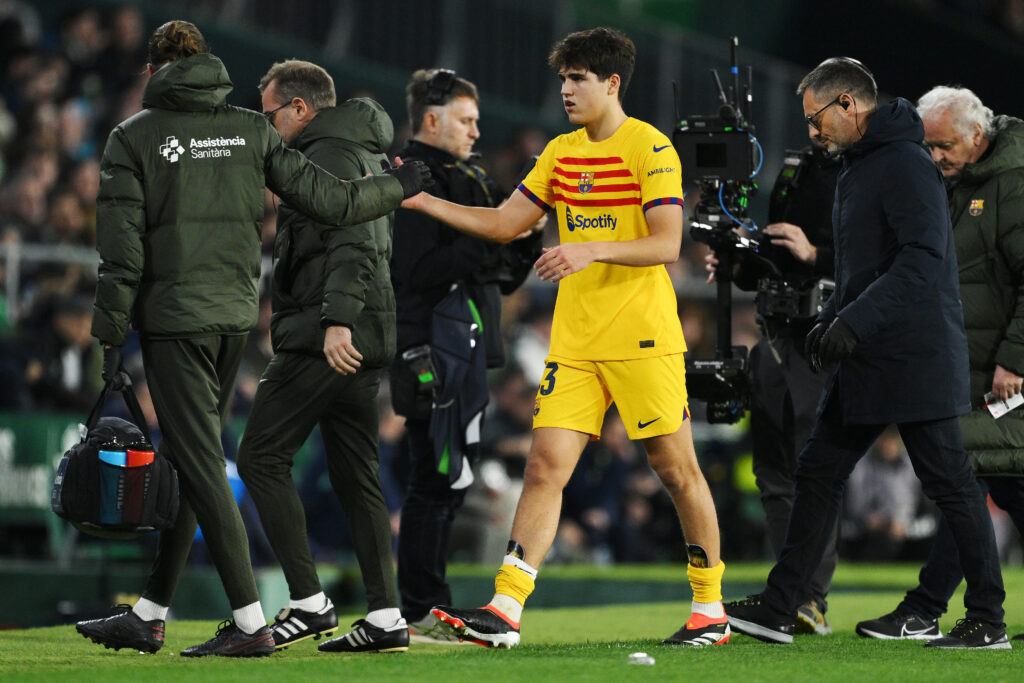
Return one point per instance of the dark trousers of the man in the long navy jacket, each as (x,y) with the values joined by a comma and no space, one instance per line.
(936,451)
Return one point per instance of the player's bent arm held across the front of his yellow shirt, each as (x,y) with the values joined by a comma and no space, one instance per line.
(662,246)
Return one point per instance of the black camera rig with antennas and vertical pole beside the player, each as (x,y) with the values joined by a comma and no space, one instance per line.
(718,153)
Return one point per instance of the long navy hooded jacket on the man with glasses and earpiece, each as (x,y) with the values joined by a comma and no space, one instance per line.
(897,280)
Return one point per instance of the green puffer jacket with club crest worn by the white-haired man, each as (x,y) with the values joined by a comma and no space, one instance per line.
(988,209)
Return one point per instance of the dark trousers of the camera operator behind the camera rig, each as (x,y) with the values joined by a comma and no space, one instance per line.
(784,406)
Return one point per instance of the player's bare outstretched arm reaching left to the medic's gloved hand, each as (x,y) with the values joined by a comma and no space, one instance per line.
(502,225)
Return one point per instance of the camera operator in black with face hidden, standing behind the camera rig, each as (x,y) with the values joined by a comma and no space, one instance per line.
(785,391)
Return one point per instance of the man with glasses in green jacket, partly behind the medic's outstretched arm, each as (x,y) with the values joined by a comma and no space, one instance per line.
(333,334)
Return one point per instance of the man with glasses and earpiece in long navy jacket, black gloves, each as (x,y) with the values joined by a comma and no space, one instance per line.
(893,343)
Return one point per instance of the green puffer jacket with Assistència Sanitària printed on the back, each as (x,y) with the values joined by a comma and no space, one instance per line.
(181,207)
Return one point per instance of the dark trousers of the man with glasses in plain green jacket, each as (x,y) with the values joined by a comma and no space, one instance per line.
(295,394)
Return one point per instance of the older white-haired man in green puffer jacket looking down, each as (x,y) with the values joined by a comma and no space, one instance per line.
(982,158)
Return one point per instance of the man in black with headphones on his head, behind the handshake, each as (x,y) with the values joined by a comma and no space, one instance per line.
(431,260)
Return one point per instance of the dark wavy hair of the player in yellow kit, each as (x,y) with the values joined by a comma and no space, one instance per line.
(605,52)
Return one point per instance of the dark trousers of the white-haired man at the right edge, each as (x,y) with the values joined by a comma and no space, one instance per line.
(943,575)
